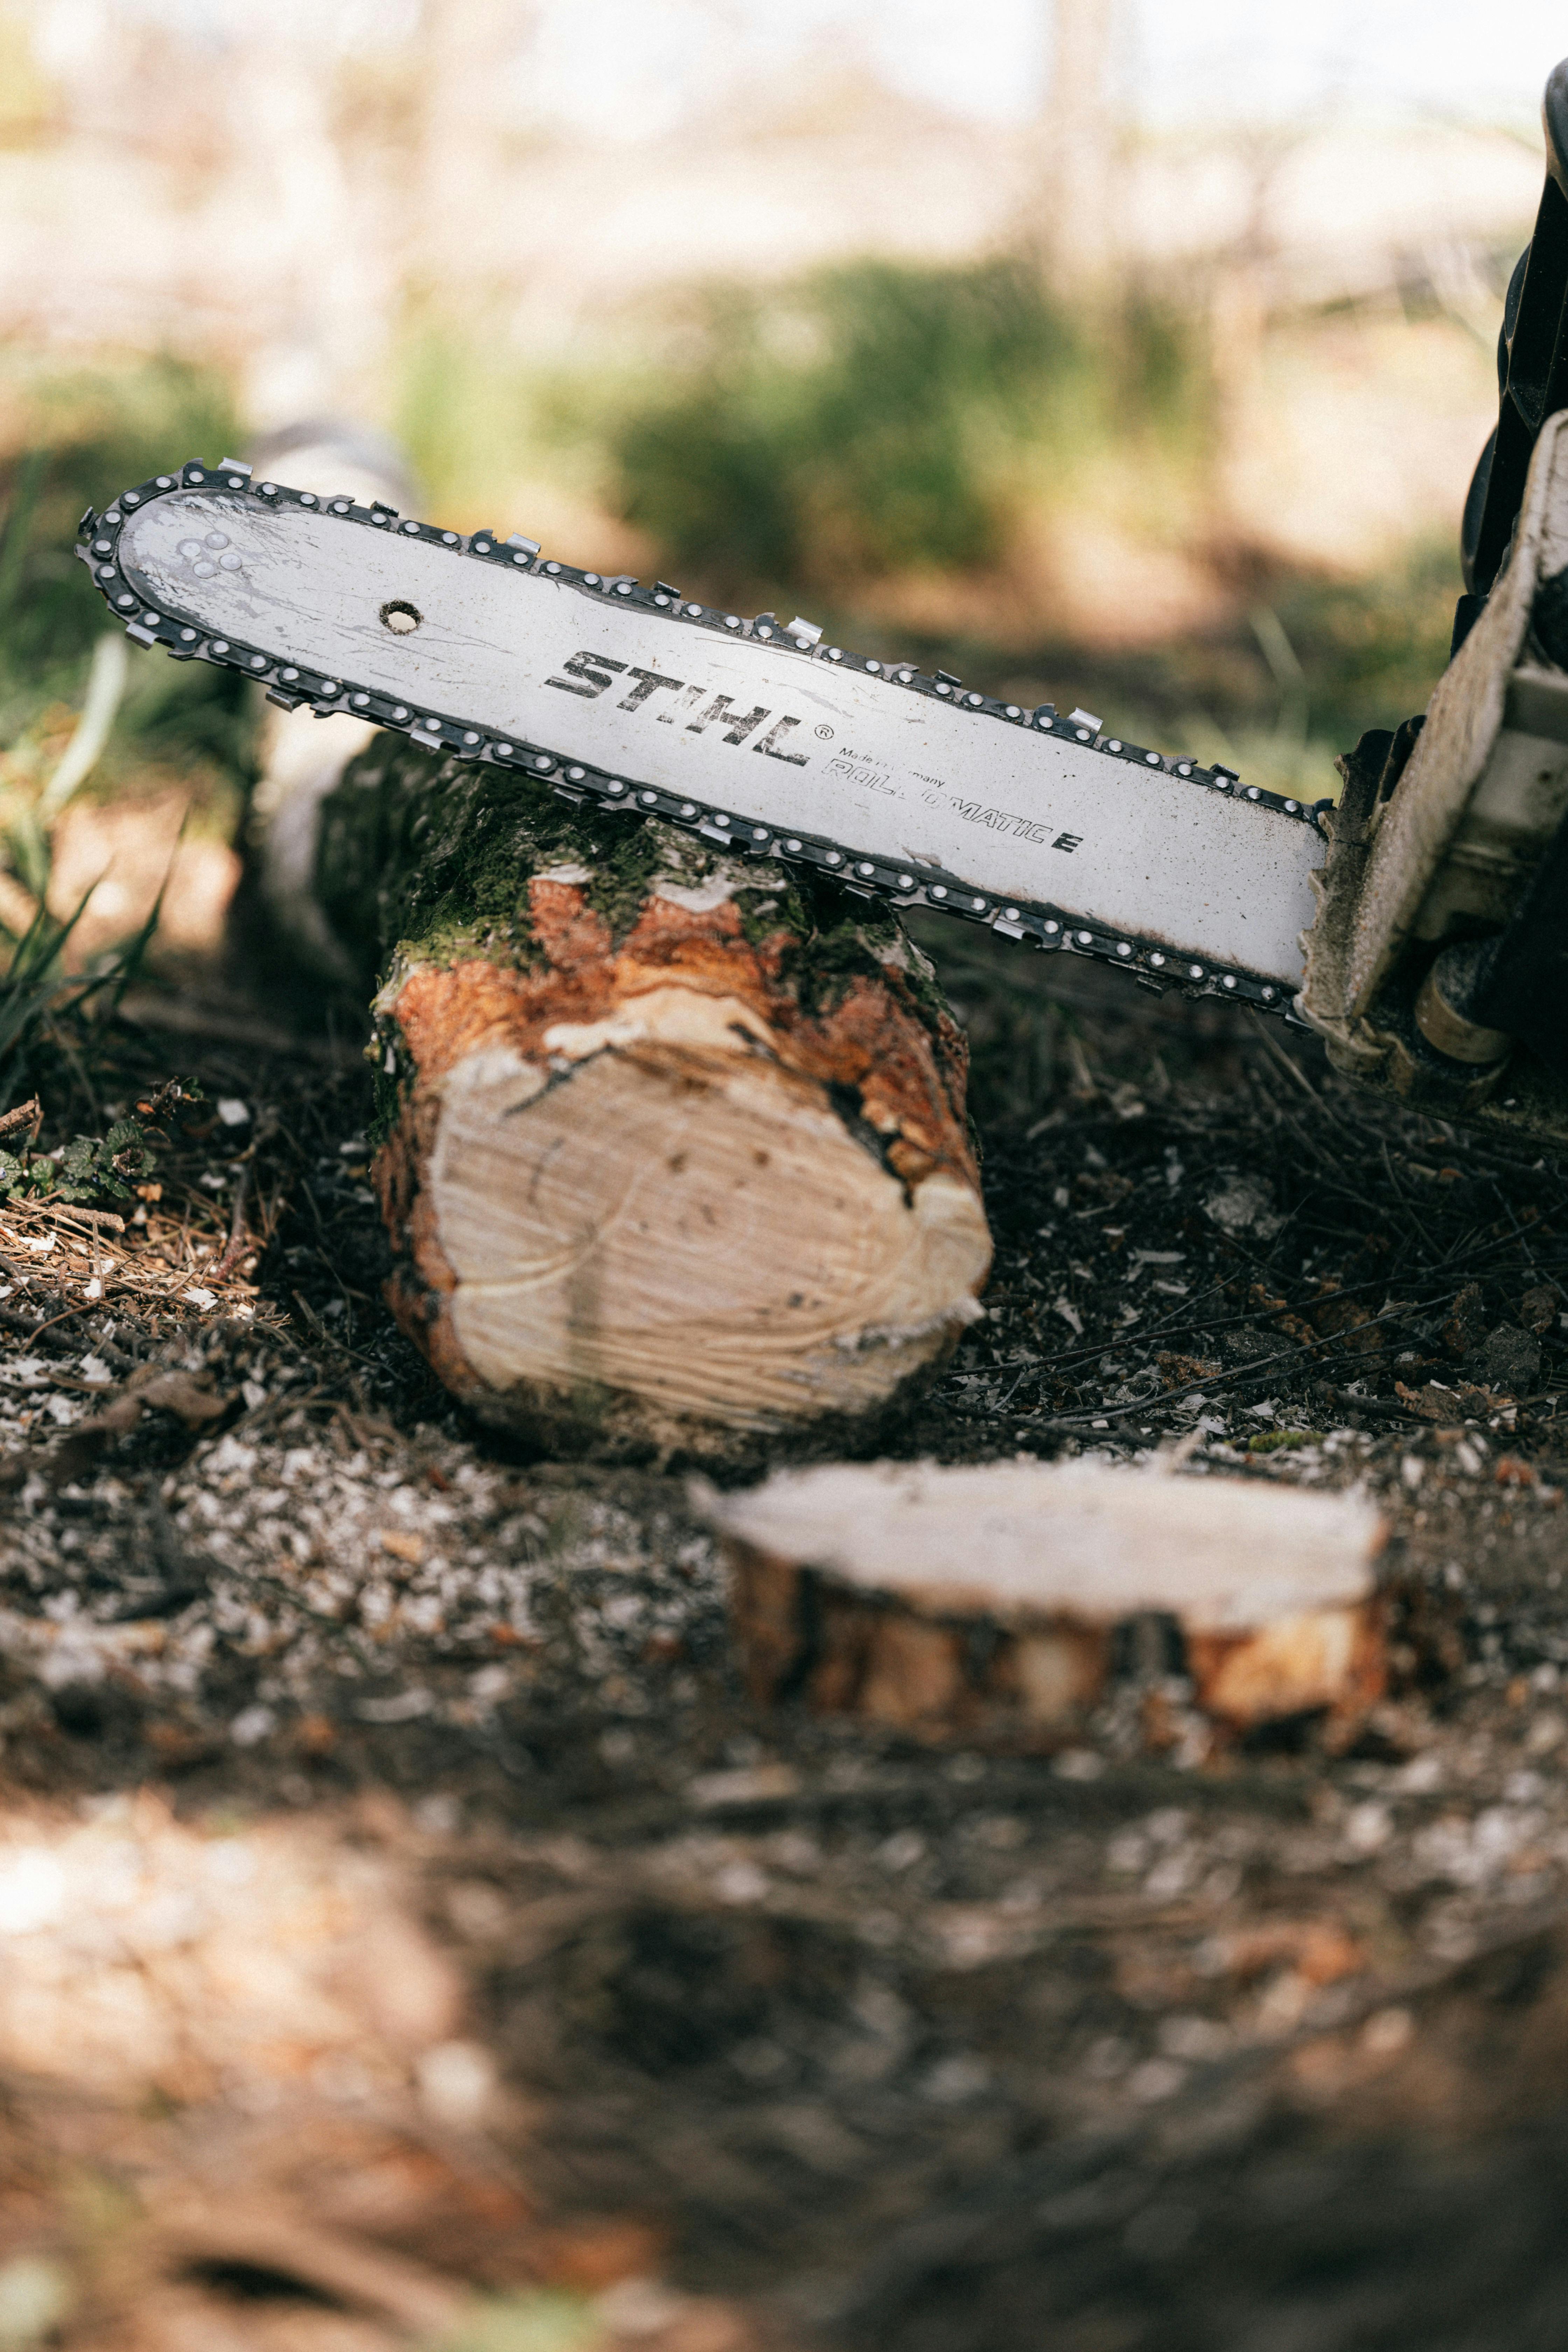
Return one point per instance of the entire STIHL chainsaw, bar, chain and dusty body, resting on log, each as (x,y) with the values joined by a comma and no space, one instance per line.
(1419,921)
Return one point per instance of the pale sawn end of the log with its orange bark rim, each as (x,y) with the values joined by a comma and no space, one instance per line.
(648,1203)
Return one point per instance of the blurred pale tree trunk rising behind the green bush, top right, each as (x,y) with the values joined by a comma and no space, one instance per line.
(1080,149)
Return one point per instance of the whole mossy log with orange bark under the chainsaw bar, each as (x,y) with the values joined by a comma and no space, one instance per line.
(671,1147)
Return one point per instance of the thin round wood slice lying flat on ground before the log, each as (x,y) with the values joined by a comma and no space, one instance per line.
(984,1605)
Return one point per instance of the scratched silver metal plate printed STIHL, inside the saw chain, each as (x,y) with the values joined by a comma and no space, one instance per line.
(744,723)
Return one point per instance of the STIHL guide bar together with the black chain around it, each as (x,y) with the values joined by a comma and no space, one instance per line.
(763,737)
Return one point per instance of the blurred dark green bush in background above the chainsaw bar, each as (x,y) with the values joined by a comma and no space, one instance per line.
(880,417)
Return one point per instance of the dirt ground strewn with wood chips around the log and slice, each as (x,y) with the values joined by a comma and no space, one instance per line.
(410,1932)
